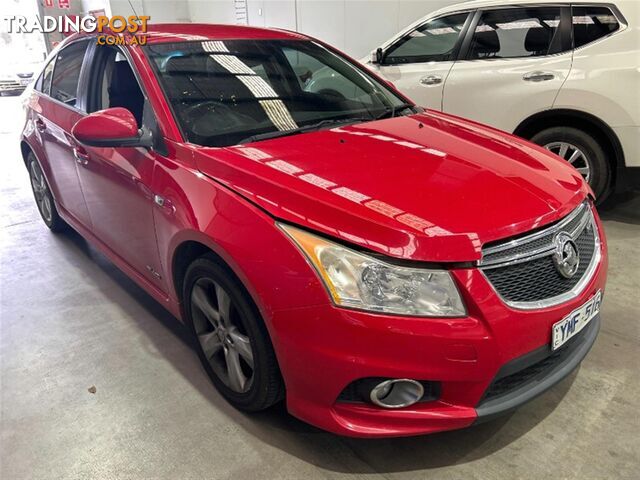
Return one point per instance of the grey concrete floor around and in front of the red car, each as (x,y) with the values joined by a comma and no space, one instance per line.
(70,320)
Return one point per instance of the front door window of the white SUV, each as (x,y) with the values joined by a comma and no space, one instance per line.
(433,41)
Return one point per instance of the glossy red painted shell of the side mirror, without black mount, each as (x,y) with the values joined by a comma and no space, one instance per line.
(112,123)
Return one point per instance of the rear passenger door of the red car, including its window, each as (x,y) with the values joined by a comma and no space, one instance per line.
(60,107)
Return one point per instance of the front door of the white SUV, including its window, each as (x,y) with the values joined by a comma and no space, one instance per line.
(419,62)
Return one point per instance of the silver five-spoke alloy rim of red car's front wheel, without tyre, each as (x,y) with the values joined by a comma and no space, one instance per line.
(221,335)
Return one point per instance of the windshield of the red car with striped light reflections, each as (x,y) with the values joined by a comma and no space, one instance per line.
(235,91)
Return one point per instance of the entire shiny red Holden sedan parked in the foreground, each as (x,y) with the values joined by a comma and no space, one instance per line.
(386,270)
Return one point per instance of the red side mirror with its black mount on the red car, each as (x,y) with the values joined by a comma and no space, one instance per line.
(113,127)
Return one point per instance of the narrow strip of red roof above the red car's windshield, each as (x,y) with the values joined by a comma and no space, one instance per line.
(180,32)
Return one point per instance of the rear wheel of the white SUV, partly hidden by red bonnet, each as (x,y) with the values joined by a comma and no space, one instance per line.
(583,152)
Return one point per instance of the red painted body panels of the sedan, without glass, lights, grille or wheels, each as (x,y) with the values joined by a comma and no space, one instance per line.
(435,192)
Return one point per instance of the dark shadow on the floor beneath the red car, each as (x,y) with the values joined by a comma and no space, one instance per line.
(277,428)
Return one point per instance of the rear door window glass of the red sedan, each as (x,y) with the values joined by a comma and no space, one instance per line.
(64,85)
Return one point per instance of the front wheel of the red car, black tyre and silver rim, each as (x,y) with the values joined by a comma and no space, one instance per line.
(230,337)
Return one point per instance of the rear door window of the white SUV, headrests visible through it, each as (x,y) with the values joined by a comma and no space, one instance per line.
(517,33)
